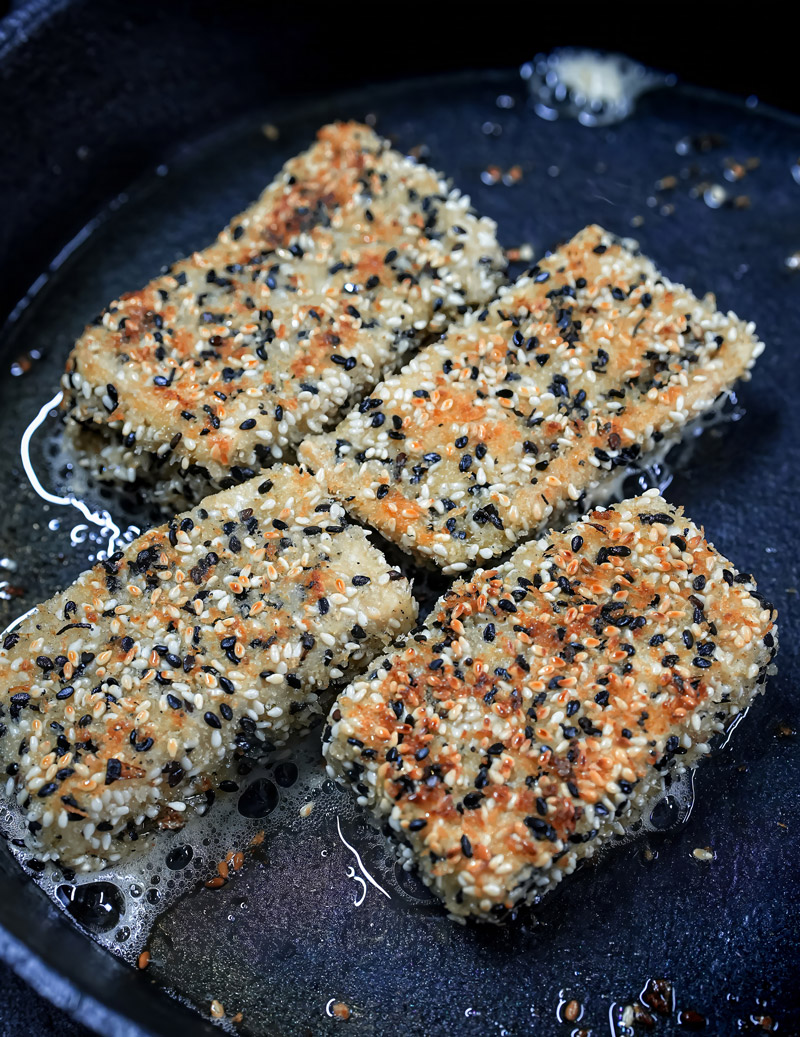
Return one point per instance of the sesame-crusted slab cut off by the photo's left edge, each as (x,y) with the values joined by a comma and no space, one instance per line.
(208,639)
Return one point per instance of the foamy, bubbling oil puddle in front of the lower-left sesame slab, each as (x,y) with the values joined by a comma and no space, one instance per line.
(270,808)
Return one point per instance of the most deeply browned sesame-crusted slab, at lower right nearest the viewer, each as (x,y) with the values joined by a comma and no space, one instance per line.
(543,703)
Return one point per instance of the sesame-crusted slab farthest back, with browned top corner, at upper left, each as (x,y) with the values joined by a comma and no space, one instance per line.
(354,256)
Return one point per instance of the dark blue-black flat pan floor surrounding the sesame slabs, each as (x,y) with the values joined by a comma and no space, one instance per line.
(285,938)
